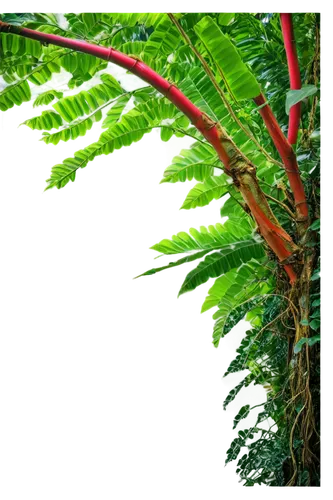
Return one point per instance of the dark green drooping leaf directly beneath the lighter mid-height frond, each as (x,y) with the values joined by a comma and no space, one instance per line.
(219,262)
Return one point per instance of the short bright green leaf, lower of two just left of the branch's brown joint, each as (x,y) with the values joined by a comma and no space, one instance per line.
(202,194)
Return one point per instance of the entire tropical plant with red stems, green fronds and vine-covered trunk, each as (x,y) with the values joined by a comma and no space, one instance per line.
(200,75)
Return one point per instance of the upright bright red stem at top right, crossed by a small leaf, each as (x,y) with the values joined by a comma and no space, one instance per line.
(294,72)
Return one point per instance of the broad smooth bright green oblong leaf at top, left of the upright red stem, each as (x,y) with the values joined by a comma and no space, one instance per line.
(224,54)
